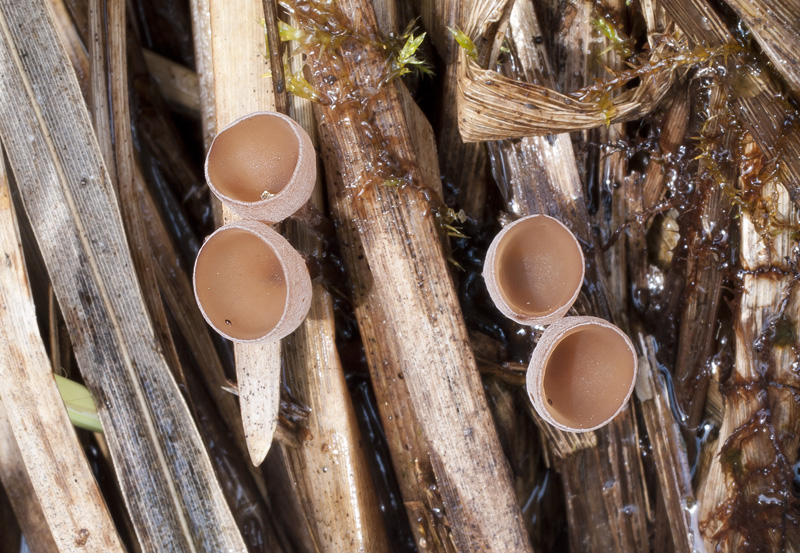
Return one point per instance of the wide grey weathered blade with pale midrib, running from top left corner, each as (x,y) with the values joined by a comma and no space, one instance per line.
(165,474)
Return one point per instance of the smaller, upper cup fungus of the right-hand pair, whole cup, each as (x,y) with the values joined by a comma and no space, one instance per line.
(534,270)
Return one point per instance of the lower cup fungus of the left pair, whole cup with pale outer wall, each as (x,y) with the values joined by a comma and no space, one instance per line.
(250,284)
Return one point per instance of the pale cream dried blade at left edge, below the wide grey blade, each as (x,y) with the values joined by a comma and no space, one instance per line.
(70,499)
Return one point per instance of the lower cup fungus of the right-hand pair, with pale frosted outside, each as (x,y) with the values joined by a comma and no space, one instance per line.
(582,373)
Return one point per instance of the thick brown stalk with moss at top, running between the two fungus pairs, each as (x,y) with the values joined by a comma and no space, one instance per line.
(410,277)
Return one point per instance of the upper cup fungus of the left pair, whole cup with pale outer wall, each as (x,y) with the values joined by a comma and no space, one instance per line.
(262,166)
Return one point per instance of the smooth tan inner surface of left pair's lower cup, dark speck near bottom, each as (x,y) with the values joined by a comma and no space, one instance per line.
(241,284)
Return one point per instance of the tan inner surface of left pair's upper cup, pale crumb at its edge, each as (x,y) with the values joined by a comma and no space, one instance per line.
(256,155)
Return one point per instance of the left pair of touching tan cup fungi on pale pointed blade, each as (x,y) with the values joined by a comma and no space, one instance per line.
(251,285)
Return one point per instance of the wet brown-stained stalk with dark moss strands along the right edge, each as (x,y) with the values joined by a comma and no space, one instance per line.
(746,497)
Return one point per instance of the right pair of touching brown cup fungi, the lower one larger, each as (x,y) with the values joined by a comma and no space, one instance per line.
(583,369)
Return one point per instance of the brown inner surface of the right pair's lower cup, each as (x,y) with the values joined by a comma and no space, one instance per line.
(588,376)
